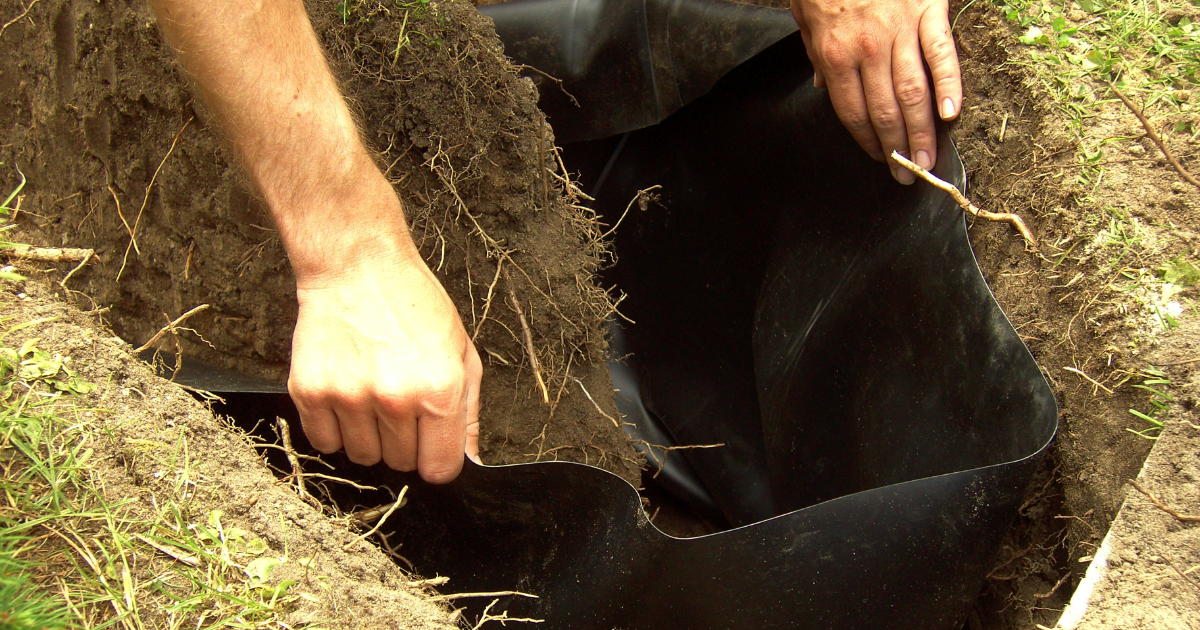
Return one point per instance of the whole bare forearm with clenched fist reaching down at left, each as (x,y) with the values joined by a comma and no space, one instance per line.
(381,363)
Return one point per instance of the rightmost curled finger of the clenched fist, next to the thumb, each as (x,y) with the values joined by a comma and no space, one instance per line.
(442,434)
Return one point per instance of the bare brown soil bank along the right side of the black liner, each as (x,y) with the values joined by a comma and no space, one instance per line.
(1070,301)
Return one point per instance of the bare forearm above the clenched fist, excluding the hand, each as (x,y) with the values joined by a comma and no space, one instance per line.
(260,68)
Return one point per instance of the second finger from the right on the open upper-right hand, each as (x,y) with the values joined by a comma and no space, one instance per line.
(913,94)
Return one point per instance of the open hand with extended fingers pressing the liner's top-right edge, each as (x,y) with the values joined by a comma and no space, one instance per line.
(872,55)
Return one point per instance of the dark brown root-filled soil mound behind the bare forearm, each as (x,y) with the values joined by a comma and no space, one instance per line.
(101,122)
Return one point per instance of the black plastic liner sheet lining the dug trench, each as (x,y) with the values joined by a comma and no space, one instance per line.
(880,416)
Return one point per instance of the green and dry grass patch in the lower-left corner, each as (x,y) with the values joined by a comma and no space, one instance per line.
(75,556)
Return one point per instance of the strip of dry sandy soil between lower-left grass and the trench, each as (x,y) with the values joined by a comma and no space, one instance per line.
(143,423)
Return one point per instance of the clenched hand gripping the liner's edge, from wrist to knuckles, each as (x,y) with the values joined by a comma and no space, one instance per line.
(382,367)
